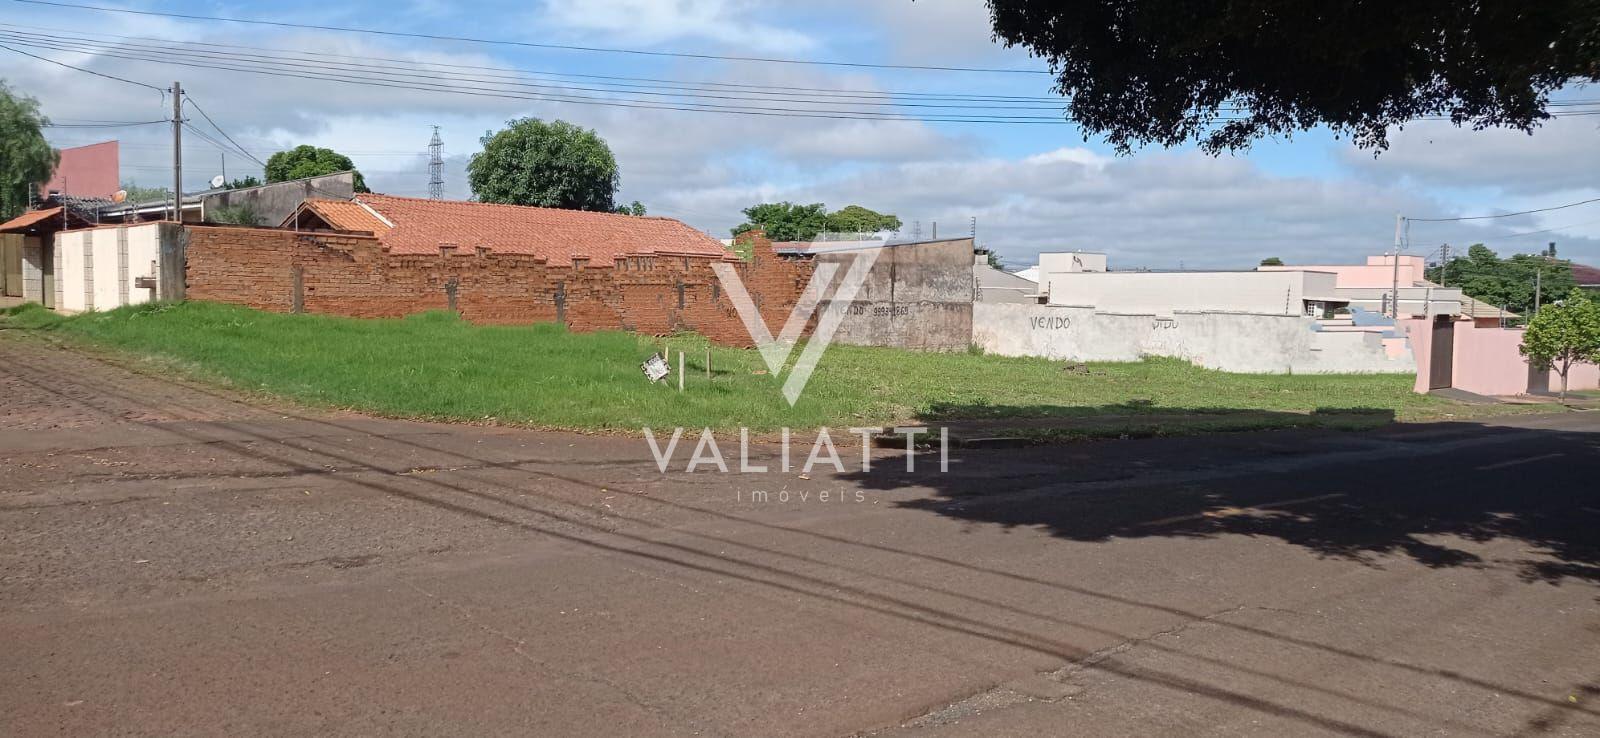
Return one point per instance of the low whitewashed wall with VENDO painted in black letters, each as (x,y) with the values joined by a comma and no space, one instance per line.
(1215,340)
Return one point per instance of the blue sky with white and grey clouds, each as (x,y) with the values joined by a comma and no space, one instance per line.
(1031,187)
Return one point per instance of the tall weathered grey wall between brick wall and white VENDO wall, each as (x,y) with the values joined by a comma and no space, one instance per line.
(918,297)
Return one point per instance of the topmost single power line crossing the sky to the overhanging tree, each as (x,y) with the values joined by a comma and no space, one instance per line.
(561,47)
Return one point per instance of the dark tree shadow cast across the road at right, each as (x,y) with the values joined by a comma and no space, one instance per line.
(1398,491)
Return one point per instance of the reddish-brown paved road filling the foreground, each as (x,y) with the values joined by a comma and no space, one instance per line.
(178,563)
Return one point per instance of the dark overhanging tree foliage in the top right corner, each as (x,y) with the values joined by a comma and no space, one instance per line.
(1225,73)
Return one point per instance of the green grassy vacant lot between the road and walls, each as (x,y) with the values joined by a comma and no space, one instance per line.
(434,366)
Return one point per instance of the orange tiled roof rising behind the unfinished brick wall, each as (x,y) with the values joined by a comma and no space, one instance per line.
(422,227)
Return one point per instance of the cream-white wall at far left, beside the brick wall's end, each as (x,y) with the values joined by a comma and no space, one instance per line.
(98,267)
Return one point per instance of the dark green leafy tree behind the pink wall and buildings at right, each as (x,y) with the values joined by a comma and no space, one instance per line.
(1510,283)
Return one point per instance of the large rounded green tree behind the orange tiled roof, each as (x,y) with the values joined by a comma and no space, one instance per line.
(551,166)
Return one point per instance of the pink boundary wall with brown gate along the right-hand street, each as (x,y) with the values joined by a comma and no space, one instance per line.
(1489,361)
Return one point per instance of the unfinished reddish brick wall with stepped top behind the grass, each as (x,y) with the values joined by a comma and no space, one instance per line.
(338,275)
